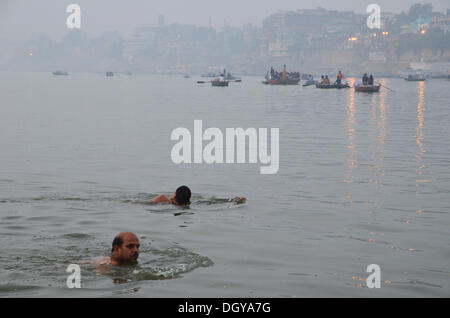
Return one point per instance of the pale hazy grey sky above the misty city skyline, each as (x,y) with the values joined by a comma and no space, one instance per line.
(20,19)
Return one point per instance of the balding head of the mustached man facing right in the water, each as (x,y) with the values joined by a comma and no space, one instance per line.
(125,249)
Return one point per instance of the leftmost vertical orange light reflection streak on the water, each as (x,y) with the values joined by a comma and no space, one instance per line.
(351,133)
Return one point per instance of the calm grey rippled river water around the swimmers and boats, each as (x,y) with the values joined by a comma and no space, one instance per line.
(363,179)
